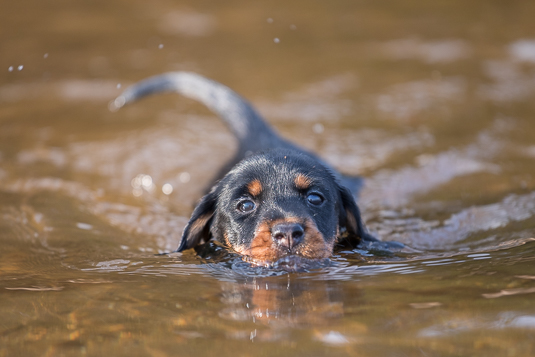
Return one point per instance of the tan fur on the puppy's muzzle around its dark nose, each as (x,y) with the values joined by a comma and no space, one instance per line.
(264,249)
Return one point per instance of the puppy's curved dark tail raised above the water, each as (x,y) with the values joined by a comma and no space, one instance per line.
(252,132)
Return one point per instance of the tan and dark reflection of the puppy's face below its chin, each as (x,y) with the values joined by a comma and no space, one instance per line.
(283,303)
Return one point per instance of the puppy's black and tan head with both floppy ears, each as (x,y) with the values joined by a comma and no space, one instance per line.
(274,205)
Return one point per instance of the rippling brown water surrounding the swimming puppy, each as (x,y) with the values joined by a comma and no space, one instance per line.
(433,102)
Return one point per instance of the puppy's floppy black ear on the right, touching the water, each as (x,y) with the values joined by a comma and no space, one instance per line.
(349,218)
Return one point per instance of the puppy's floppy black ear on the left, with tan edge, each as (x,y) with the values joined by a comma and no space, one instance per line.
(198,228)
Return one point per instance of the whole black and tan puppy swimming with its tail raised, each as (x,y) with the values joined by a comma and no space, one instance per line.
(275,200)
